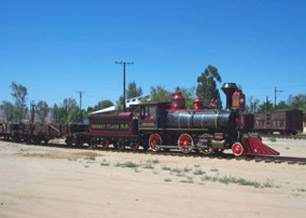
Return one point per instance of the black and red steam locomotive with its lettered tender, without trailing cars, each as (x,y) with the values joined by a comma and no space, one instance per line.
(169,125)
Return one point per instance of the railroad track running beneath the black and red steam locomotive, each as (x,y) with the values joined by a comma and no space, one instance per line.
(225,156)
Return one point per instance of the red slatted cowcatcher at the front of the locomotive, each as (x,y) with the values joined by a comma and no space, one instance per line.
(254,146)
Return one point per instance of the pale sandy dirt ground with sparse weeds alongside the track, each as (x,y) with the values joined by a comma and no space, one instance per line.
(37,181)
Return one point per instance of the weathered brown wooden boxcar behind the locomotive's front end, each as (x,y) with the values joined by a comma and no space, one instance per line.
(284,122)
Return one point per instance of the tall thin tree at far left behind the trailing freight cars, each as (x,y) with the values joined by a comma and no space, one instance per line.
(19,93)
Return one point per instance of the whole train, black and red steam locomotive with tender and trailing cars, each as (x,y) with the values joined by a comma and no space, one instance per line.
(156,125)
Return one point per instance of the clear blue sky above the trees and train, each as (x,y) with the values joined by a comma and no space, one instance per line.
(56,48)
